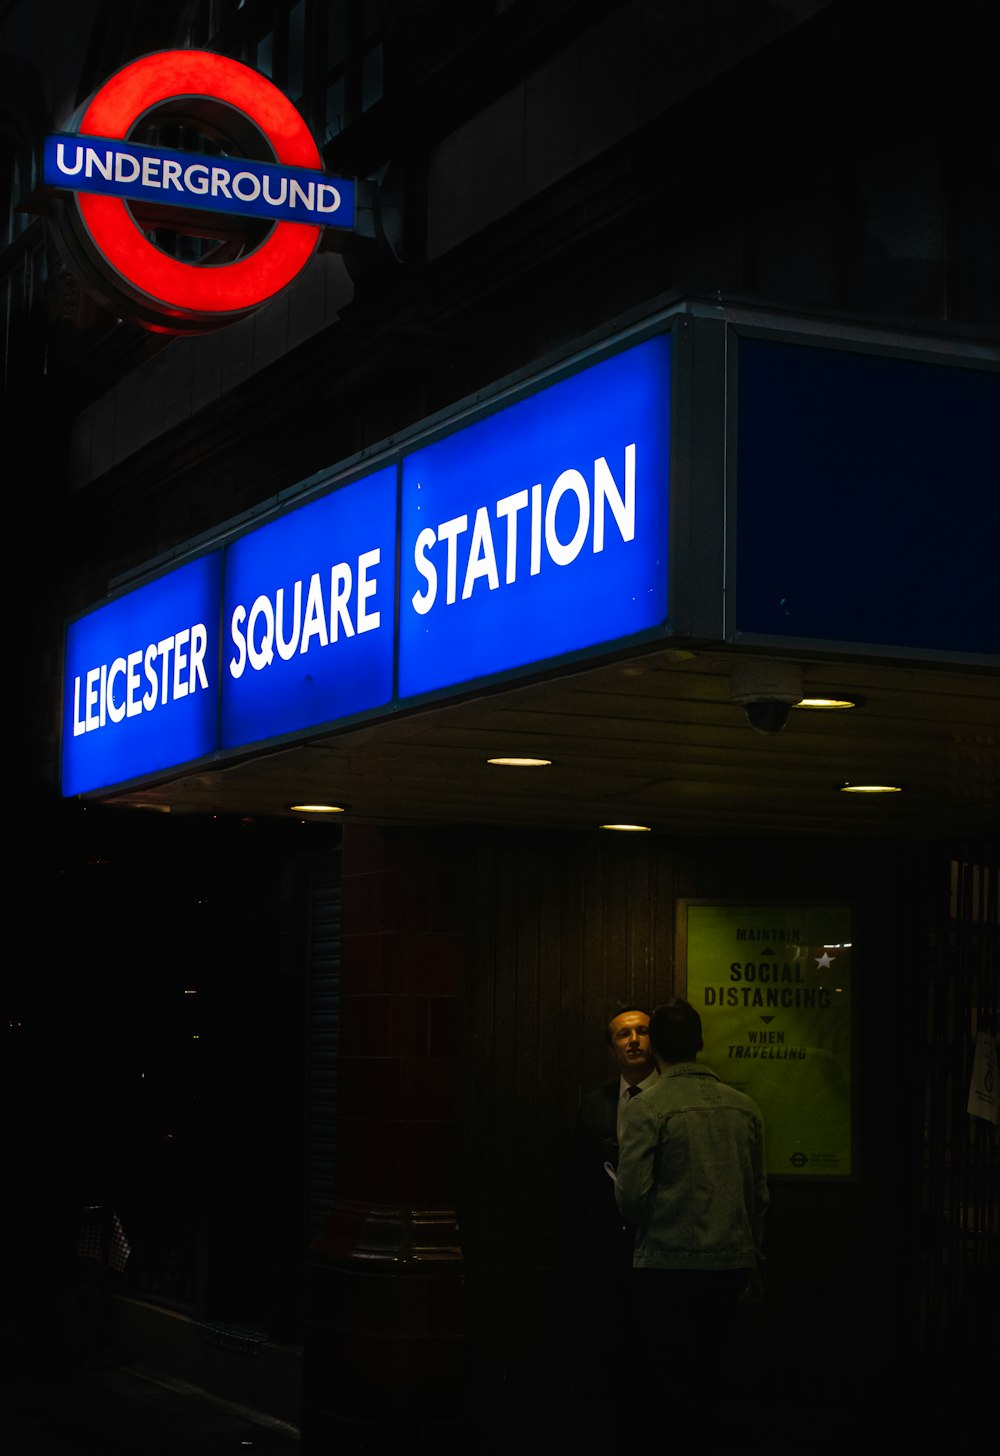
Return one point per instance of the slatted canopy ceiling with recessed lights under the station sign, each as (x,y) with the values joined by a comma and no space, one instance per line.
(656,740)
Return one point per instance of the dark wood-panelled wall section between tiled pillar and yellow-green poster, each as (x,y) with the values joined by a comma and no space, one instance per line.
(564,928)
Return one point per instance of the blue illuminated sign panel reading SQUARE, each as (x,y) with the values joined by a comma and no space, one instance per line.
(309,615)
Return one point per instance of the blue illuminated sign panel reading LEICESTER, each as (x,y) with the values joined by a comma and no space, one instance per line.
(142,681)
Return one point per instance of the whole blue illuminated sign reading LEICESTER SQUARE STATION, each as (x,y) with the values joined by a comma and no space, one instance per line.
(535,535)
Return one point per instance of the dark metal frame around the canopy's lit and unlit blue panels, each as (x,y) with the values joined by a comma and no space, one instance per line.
(704,493)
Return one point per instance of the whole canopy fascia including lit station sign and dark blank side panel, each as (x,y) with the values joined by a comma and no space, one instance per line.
(817,490)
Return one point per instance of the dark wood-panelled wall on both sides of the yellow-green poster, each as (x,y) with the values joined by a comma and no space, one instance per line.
(563,930)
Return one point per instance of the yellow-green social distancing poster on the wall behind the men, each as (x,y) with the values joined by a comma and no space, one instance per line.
(774,988)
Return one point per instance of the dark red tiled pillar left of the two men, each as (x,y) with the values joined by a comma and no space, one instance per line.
(384,1342)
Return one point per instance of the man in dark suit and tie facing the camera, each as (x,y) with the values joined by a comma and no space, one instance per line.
(600,1243)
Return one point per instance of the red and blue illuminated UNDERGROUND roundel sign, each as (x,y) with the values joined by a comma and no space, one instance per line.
(138,277)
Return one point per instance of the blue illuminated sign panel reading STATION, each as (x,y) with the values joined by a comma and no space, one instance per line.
(541,531)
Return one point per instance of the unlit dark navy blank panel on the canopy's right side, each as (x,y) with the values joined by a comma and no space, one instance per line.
(868,500)
